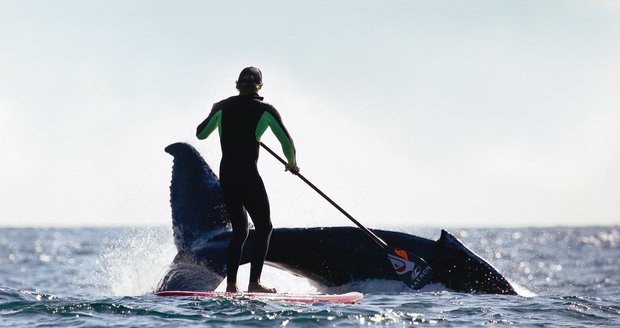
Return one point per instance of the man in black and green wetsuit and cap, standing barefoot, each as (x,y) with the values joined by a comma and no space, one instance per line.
(241,121)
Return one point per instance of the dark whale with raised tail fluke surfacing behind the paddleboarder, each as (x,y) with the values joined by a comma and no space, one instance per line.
(327,256)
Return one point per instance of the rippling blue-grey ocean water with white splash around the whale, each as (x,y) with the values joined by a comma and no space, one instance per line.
(96,277)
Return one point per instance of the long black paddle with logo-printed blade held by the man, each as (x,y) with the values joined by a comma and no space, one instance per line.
(409,268)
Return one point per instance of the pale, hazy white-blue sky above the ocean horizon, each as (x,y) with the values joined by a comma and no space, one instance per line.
(407,113)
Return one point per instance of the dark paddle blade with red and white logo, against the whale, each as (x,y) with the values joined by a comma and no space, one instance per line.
(409,268)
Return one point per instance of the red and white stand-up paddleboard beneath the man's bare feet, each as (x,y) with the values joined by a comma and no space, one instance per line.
(351,297)
